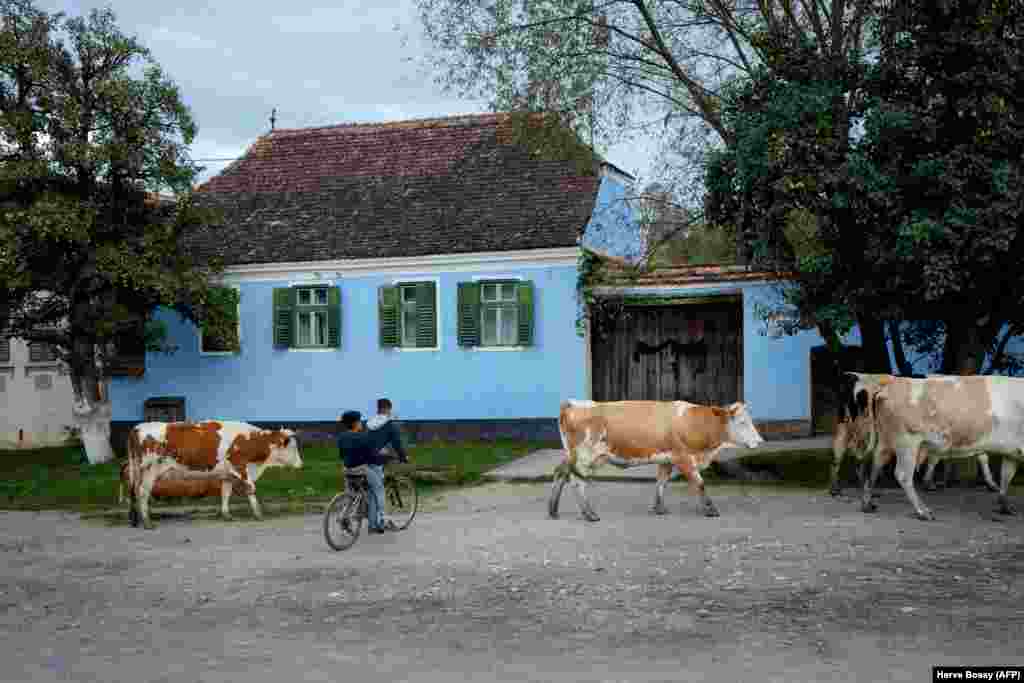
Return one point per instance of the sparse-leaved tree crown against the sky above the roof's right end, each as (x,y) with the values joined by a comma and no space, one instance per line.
(611,68)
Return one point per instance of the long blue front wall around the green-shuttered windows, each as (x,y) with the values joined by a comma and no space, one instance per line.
(266,383)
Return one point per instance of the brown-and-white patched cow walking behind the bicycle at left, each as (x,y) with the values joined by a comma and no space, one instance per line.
(228,454)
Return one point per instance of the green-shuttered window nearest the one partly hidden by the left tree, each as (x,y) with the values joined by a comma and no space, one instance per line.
(308,317)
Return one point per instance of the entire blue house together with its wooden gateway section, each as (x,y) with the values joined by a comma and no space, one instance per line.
(437,263)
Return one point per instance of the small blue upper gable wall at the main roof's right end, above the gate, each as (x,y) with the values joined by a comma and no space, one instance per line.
(615,227)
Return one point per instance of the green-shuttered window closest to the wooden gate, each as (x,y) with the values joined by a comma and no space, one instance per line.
(496,314)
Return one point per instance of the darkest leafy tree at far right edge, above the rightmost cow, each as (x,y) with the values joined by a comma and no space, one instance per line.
(947,137)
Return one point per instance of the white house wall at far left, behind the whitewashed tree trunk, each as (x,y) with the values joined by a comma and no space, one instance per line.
(33,415)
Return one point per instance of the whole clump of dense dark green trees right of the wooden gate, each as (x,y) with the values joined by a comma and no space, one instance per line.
(915,222)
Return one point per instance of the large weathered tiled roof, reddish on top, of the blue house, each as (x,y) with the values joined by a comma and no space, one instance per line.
(406,189)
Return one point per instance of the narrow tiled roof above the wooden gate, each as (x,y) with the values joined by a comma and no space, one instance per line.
(618,273)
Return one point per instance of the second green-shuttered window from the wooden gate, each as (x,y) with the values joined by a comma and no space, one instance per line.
(409,316)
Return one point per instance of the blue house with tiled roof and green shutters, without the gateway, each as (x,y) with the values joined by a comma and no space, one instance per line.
(434,263)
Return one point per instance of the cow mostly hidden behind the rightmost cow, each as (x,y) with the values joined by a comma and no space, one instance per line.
(855,433)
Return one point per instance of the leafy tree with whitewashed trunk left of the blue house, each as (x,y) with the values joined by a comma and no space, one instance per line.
(91,129)
